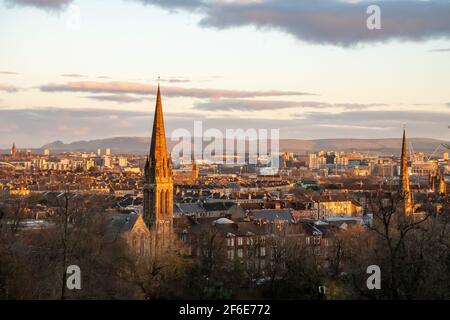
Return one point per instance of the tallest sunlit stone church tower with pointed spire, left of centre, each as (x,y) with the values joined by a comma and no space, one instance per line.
(158,183)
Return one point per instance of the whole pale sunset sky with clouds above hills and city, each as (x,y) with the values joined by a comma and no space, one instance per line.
(78,70)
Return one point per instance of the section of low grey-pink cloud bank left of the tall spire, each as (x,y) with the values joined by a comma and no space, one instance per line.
(21,125)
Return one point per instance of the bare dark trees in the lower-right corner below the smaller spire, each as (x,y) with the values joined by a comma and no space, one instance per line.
(413,253)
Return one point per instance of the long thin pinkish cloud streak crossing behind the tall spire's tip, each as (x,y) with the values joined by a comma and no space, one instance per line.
(146,89)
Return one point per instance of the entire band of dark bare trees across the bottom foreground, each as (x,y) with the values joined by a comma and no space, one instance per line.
(413,254)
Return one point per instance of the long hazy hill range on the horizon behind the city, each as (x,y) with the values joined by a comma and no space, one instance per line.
(141,145)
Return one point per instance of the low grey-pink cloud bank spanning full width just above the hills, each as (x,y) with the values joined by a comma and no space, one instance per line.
(69,124)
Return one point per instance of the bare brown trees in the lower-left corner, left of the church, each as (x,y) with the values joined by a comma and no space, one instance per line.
(34,260)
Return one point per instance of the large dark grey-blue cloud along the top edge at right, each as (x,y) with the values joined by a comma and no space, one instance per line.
(334,22)
